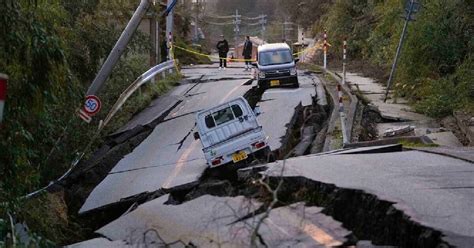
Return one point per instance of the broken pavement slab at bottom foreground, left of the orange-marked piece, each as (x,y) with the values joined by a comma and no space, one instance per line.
(205,222)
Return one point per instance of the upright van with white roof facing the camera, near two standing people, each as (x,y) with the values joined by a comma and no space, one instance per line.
(276,66)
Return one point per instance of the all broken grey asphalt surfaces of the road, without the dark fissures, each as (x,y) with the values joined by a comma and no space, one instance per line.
(432,190)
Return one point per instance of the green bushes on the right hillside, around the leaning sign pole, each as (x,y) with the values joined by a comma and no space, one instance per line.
(436,55)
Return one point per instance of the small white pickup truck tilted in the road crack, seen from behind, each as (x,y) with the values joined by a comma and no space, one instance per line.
(230,133)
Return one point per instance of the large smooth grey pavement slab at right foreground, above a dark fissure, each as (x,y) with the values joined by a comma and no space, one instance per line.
(433,190)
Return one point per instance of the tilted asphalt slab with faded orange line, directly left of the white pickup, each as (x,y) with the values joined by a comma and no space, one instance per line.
(156,163)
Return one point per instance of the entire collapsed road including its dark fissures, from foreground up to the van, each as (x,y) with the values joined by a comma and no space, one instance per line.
(308,201)
